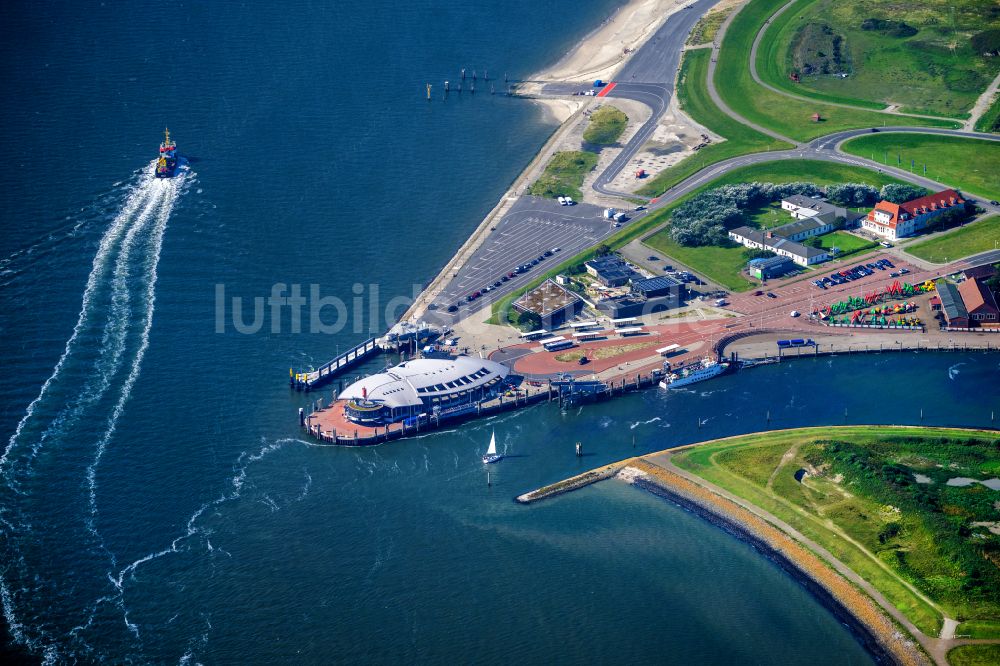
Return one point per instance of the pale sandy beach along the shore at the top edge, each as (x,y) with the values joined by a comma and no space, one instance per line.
(601,52)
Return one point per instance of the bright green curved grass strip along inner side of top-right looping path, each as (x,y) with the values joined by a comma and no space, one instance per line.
(773,65)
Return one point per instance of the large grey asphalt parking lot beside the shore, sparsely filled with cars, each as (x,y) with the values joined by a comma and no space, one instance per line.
(533,226)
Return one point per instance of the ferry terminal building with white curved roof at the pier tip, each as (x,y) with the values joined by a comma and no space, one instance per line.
(422,386)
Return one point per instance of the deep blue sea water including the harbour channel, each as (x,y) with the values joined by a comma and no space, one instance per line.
(157,502)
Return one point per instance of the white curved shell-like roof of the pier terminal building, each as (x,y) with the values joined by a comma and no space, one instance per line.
(407,383)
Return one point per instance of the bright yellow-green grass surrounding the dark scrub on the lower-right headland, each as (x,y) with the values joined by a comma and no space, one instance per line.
(731,464)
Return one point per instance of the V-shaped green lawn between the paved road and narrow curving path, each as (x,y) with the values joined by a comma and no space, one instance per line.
(692,92)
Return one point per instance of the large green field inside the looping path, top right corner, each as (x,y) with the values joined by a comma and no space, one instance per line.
(934,71)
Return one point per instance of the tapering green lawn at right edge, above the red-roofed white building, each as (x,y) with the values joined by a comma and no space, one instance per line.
(970,165)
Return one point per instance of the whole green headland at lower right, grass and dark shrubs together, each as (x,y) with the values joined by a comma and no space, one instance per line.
(859,499)
